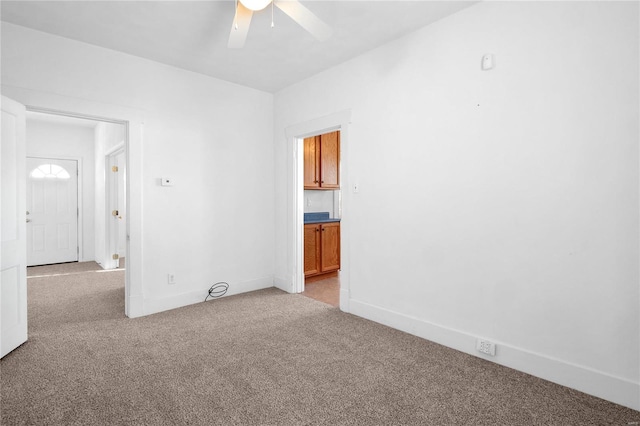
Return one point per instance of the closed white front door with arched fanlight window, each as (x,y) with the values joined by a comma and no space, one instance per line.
(52,211)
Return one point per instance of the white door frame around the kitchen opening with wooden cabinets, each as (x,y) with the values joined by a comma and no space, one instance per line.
(295,245)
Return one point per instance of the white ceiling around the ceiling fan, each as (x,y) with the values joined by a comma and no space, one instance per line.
(193,34)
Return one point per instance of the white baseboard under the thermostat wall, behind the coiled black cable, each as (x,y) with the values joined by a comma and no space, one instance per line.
(155,305)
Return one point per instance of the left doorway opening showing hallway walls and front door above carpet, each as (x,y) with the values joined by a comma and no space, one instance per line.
(66,149)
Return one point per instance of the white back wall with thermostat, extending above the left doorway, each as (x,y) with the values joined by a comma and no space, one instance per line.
(213,138)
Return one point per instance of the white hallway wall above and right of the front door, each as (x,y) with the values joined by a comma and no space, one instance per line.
(57,140)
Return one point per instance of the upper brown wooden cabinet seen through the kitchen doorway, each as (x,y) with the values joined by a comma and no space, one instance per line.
(322,161)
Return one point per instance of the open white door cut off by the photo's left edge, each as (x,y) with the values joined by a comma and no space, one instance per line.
(13,278)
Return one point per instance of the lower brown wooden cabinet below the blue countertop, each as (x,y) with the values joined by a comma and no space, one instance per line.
(321,248)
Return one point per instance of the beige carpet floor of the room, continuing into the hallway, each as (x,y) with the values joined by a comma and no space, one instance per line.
(262,358)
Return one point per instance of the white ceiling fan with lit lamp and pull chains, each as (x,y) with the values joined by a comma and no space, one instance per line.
(296,11)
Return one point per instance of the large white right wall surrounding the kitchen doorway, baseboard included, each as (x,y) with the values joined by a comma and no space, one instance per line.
(502,203)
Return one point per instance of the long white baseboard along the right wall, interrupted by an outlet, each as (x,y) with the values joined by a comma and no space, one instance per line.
(615,389)
